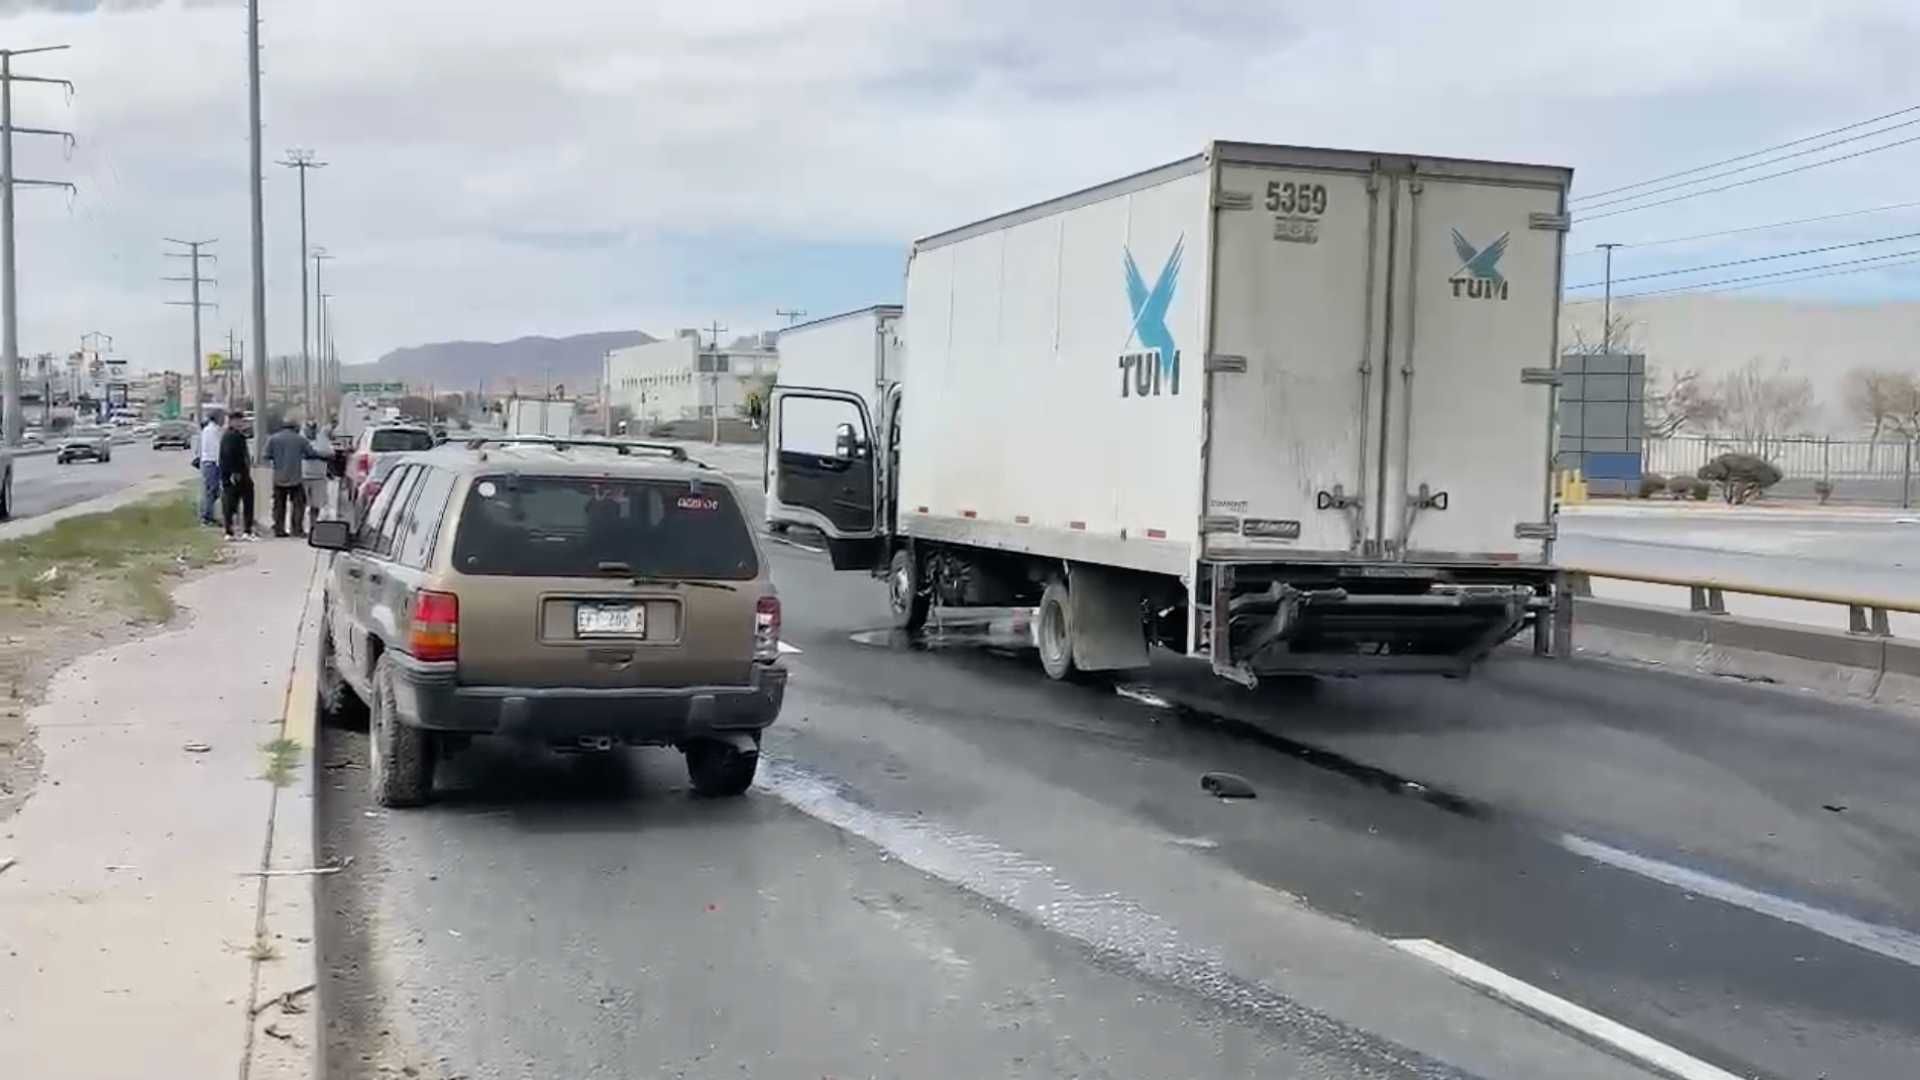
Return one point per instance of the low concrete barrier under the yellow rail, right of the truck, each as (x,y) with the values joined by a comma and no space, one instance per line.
(1884,672)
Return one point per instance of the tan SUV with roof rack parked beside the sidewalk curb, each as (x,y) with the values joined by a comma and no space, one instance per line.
(581,597)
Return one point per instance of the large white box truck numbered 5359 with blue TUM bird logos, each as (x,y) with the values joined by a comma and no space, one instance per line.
(1287,410)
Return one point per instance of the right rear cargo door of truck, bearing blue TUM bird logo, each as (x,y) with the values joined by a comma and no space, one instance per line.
(1464,456)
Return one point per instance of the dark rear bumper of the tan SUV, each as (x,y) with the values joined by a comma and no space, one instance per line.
(429,697)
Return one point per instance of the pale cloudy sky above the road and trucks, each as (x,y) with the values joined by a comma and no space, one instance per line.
(504,168)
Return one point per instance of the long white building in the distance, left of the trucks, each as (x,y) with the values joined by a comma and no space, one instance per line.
(681,380)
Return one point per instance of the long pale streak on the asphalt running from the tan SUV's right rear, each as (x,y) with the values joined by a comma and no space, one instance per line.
(1113,925)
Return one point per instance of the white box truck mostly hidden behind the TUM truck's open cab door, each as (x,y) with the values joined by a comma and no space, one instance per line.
(855,351)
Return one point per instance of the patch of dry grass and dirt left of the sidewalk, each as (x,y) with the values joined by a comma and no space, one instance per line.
(87,583)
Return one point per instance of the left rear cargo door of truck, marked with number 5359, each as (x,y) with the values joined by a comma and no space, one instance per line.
(1297,316)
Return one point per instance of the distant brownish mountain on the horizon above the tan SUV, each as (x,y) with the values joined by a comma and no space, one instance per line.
(529,362)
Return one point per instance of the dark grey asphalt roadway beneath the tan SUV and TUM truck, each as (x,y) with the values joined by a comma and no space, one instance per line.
(953,868)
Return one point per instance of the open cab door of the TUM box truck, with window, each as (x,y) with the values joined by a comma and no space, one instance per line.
(821,472)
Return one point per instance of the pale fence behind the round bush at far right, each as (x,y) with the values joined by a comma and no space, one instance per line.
(1865,472)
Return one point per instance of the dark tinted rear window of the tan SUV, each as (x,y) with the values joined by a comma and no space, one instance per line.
(588,528)
